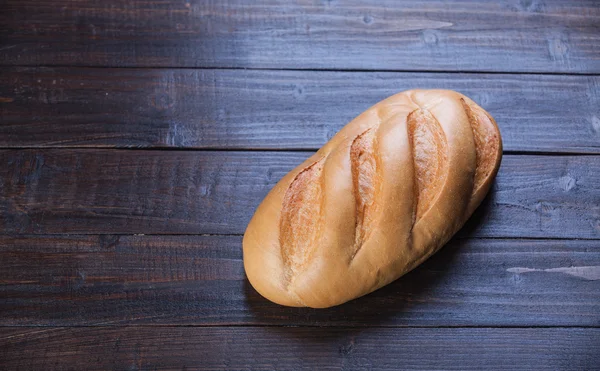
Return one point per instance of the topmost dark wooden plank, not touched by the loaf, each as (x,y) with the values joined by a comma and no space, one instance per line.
(510,35)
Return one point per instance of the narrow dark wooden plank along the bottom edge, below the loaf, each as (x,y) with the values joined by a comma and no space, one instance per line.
(144,348)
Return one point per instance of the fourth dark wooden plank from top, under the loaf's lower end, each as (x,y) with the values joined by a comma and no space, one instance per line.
(200,280)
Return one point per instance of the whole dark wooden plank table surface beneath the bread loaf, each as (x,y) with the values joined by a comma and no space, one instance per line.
(139,136)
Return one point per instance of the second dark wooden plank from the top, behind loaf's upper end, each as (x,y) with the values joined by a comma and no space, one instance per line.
(237,109)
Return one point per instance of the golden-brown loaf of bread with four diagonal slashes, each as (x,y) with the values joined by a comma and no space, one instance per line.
(384,194)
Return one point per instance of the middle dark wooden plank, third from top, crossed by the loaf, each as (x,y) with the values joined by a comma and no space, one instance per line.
(188,192)
